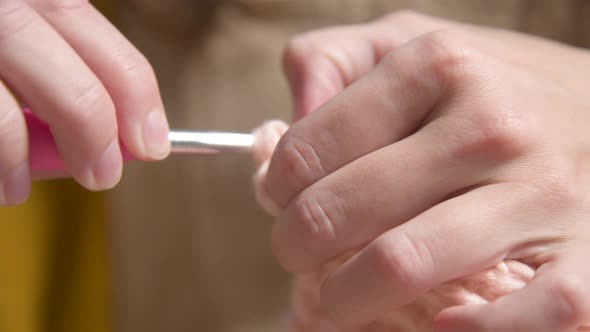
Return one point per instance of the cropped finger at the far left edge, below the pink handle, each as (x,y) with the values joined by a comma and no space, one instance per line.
(15,180)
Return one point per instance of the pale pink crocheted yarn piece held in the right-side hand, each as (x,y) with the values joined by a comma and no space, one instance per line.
(306,314)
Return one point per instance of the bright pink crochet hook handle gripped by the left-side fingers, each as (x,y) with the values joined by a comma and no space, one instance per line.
(43,154)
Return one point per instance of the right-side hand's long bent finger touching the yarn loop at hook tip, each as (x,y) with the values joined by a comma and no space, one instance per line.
(383,107)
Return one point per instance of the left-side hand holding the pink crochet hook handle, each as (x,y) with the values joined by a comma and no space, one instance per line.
(78,74)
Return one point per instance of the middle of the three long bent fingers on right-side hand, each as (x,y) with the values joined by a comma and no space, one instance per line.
(373,194)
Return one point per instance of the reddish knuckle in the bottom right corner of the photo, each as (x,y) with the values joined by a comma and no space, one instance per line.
(571,306)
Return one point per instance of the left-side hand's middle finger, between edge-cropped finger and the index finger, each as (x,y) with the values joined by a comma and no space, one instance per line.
(63,92)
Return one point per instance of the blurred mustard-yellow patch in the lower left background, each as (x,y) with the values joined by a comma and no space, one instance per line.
(53,269)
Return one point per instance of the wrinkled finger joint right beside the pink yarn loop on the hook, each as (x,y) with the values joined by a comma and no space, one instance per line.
(302,164)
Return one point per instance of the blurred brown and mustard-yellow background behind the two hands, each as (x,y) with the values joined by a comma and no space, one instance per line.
(180,245)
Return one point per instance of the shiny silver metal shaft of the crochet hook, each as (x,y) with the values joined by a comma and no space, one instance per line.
(203,142)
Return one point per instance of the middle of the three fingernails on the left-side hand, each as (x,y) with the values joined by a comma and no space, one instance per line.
(106,172)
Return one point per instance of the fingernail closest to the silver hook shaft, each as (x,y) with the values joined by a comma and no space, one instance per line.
(155,135)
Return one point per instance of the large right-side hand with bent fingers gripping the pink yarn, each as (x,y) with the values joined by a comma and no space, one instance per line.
(442,150)
